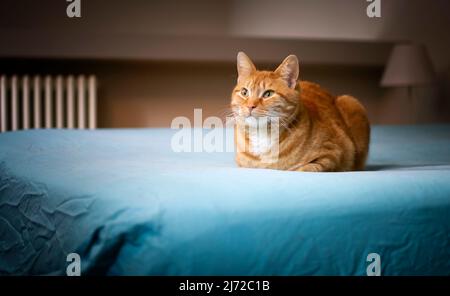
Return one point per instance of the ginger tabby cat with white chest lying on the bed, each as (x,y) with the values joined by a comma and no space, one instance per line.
(317,131)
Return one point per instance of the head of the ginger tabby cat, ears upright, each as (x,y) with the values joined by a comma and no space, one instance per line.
(265,93)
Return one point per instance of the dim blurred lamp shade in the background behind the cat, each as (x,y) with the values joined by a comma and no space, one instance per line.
(408,65)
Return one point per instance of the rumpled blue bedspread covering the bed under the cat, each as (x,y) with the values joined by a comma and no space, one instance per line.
(127,204)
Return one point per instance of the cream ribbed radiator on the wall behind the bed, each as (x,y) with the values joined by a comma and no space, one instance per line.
(48,102)
